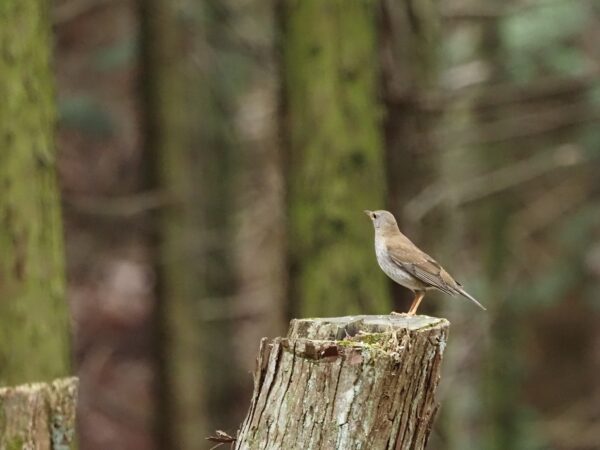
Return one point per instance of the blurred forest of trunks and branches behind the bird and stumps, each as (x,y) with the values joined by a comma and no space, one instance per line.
(214,158)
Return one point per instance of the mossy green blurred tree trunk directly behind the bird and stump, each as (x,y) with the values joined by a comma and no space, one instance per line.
(335,161)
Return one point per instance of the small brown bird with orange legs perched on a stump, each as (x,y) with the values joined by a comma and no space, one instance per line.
(407,265)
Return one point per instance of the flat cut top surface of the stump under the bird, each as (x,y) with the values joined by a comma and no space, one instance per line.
(340,328)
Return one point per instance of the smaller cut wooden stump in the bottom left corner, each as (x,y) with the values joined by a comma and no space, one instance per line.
(39,416)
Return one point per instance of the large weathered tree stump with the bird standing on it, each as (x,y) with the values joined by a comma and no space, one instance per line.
(356,382)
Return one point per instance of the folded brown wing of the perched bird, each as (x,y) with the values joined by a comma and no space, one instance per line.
(423,267)
